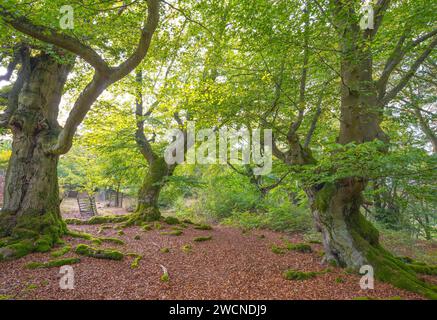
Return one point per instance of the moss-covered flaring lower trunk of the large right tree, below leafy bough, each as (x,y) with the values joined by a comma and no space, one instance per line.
(351,241)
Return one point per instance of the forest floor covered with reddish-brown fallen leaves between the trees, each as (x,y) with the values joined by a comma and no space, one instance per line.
(232,265)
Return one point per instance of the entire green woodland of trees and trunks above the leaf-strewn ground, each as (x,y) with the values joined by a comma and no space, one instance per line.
(336,98)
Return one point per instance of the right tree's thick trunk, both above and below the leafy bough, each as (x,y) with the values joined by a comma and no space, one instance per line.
(349,239)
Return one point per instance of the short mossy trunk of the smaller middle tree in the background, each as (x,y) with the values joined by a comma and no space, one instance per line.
(148,195)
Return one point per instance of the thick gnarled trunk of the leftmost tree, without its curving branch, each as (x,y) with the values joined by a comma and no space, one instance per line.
(30,219)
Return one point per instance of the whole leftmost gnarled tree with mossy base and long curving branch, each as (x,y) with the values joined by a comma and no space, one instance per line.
(30,217)
